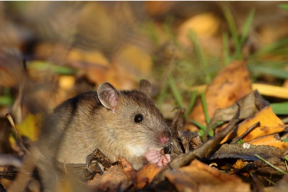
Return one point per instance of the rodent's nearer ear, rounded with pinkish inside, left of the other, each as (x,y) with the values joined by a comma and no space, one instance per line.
(108,96)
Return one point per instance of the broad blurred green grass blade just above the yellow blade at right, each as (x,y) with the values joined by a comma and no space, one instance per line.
(280,73)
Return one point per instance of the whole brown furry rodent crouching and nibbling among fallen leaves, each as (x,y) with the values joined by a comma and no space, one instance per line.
(118,123)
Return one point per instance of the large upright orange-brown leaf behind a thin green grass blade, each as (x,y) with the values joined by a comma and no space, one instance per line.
(229,85)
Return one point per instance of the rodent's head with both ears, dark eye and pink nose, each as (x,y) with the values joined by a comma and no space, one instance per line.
(135,117)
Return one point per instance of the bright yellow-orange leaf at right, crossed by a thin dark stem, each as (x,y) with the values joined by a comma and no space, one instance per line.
(269,124)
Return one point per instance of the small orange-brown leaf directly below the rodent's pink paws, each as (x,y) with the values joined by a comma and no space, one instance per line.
(146,174)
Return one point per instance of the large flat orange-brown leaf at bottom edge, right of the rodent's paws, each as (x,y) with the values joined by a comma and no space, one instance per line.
(200,177)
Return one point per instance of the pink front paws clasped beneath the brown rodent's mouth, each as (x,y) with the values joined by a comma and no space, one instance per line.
(154,156)
